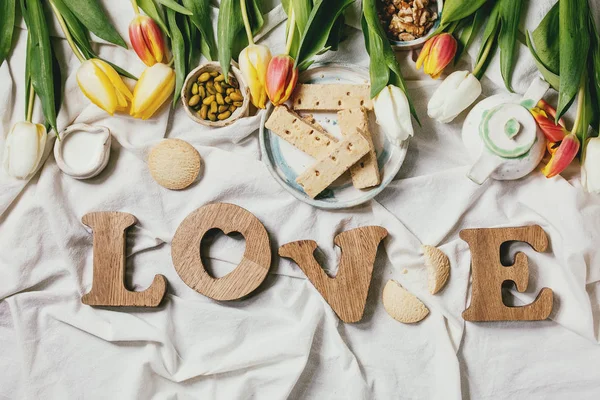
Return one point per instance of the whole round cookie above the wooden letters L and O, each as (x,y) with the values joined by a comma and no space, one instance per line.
(174,164)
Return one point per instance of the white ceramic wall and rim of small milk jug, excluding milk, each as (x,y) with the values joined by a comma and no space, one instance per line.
(100,160)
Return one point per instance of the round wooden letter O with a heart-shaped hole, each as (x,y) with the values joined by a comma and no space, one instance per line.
(251,271)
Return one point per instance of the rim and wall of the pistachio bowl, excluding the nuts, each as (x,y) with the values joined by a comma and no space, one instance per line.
(186,93)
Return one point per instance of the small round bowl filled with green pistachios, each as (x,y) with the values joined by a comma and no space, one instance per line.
(211,100)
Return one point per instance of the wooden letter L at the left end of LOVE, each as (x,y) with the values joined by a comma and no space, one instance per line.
(108,288)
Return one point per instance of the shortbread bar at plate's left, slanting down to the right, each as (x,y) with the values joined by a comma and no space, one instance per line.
(303,134)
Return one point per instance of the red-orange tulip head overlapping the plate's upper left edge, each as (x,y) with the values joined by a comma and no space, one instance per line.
(281,79)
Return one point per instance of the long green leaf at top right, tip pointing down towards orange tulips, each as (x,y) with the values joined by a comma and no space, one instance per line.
(574,49)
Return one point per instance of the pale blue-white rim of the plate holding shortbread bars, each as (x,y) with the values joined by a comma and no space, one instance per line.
(370,195)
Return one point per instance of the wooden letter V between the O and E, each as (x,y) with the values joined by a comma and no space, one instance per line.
(347,292)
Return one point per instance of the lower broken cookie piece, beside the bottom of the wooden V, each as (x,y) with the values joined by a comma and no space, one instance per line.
(402,305)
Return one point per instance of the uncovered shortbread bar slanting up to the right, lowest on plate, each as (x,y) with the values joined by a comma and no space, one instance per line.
(324,172)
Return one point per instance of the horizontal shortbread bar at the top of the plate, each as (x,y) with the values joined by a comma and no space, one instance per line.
(331,97)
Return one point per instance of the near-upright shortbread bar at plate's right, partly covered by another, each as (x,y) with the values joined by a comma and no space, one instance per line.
(365,173)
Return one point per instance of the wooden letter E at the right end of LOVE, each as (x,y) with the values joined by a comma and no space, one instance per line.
(489,274)
